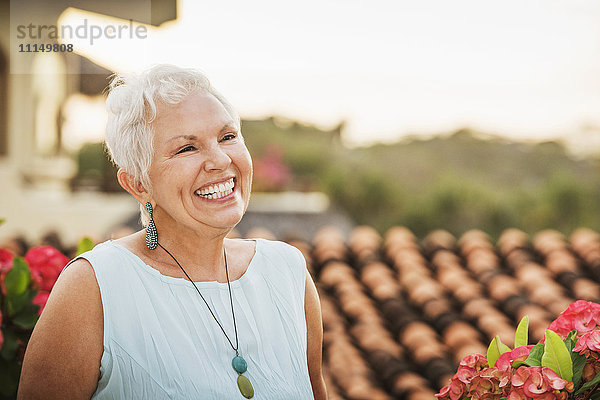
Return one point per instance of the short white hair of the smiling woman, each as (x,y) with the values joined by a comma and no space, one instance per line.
(132,107)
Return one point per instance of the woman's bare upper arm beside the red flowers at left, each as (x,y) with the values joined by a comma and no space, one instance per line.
(62,360)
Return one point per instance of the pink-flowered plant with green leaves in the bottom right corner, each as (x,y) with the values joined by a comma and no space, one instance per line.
(565,365)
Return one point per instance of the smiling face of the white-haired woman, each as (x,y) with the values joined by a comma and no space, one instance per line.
(201,170)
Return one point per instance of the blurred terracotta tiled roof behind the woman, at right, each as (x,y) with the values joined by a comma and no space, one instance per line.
(400,313)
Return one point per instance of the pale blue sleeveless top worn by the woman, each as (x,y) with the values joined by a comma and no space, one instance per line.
(161,342)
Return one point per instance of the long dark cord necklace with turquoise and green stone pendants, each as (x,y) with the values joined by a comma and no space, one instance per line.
(238,363)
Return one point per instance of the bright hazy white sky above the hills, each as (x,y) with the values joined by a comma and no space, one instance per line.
(521,68)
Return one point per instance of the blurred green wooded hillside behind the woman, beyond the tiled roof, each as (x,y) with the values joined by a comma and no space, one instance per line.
(455,182)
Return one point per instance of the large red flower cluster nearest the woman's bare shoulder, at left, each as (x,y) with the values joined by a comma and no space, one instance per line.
(45,263)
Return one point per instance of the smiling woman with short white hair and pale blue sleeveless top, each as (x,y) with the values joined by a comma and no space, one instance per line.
(177,310)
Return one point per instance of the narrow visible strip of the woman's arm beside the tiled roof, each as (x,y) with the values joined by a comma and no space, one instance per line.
(314,326)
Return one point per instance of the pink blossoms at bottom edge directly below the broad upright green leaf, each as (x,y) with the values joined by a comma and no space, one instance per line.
(537,381)
